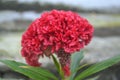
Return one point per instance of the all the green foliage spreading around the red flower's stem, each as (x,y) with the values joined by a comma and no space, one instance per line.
(38,73)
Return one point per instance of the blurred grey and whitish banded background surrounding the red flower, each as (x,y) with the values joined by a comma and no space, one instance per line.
(104,15)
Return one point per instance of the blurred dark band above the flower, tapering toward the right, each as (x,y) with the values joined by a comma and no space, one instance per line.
(36,6)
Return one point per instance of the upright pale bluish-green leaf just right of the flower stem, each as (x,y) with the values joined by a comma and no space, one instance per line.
(75,60)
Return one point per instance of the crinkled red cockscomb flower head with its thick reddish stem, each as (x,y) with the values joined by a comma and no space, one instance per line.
(60,32)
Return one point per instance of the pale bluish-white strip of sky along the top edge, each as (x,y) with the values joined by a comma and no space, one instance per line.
(83,3)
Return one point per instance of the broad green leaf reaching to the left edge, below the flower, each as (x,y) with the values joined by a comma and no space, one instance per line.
(33,73)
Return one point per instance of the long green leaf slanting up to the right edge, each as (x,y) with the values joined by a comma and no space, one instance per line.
(98,67)
